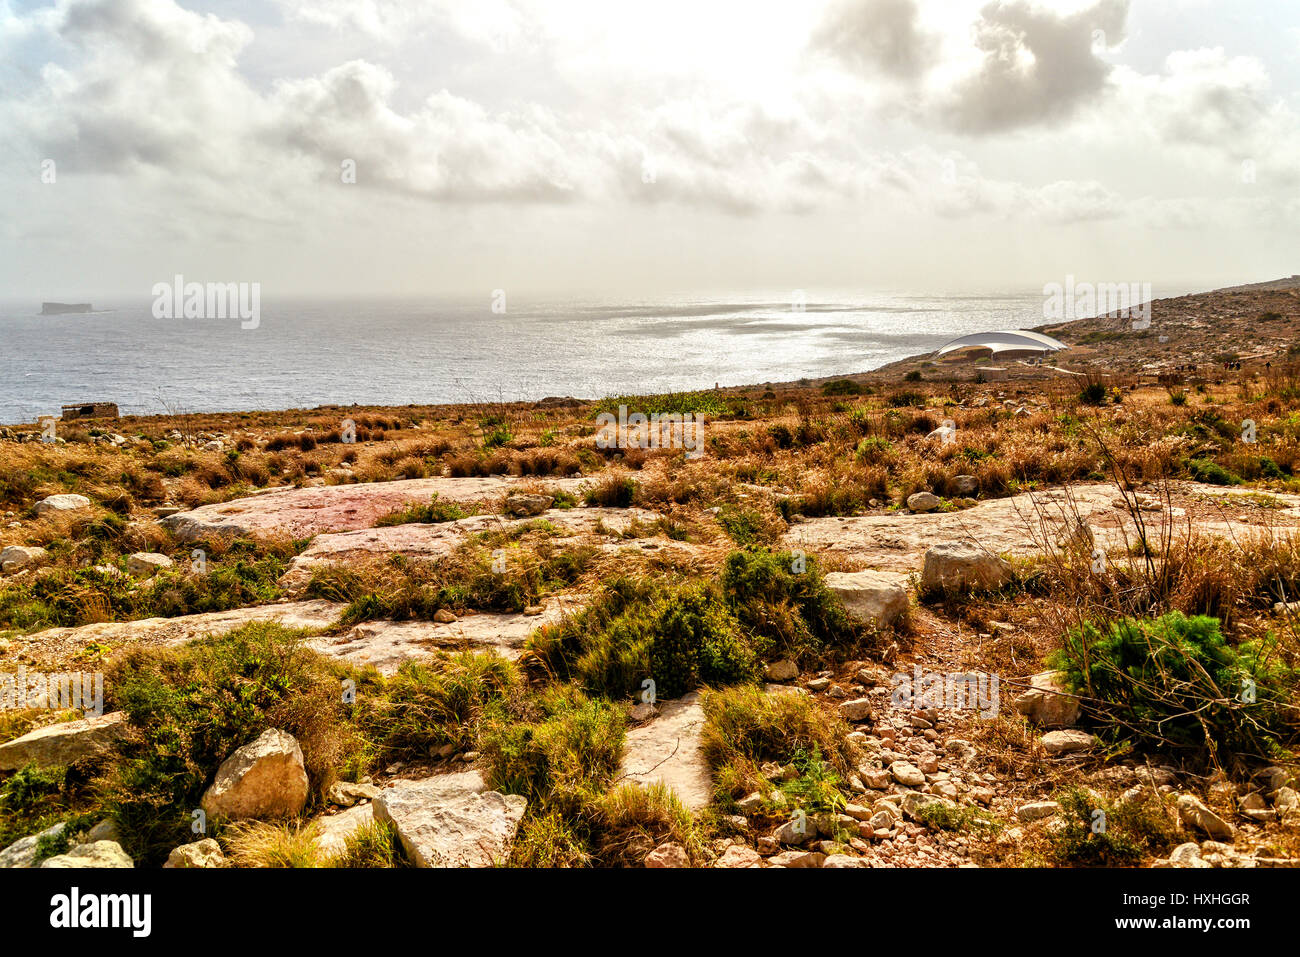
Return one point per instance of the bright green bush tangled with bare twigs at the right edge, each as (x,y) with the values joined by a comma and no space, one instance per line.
(1175,682)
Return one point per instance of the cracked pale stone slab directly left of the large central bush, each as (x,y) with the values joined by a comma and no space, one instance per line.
(385,646)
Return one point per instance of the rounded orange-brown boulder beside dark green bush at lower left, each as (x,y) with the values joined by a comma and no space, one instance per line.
(263,780)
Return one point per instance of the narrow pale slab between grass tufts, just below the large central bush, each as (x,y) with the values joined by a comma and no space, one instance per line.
(668,751)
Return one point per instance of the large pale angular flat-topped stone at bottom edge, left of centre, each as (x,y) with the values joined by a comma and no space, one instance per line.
(452,820)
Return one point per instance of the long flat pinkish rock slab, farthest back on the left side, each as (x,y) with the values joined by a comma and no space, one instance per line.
(304,513)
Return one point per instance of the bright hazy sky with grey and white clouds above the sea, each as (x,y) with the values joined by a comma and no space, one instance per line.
(609,149)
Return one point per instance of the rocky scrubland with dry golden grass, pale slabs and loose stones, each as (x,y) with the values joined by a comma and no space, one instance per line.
(959,560)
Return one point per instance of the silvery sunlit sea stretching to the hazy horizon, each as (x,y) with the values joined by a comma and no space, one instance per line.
(306,354)
